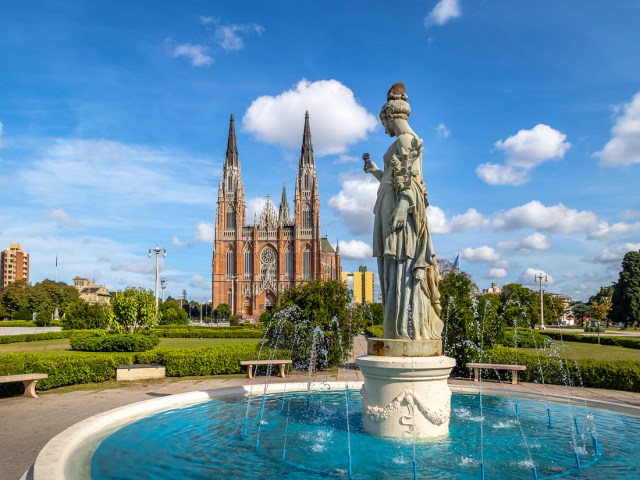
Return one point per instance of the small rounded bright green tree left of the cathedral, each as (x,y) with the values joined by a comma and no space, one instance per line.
(133,310)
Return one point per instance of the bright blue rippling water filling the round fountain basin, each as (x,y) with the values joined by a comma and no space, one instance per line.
(310,435)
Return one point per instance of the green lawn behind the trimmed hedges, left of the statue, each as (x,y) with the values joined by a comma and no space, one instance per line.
(62,345)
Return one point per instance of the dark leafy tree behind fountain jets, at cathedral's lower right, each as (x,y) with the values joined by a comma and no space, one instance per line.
(314,321)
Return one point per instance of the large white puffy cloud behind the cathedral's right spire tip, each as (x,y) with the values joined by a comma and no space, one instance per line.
(337,119)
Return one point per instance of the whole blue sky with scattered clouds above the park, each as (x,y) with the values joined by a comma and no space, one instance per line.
(114,118)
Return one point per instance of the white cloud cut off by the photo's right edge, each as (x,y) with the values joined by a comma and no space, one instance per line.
(624,147)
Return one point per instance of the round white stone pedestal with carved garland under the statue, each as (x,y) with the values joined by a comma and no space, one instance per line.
(405,396)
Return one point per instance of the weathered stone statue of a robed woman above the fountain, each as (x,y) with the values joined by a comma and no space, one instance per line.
(407,264)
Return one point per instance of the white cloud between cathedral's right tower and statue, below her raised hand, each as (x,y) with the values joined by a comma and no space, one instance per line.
(354,203)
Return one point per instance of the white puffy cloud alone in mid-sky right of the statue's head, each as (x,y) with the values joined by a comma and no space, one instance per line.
(524,151)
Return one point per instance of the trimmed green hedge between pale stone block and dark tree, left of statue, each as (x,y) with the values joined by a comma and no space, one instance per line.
(219,360)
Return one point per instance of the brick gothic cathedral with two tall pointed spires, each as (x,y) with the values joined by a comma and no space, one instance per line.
(252,262)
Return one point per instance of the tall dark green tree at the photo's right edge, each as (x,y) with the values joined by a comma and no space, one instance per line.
(625,300)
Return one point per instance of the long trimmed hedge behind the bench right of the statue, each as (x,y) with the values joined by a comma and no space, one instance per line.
(610,374)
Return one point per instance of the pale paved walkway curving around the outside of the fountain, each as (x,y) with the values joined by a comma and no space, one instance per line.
(26,425)
